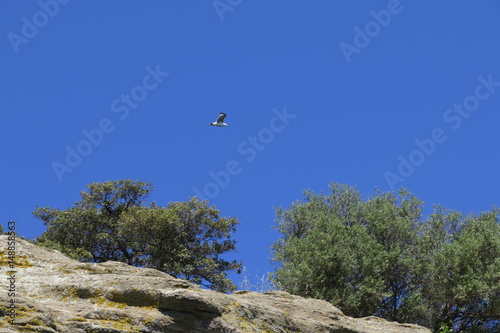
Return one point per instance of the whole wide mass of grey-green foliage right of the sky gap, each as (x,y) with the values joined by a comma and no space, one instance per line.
(379,256)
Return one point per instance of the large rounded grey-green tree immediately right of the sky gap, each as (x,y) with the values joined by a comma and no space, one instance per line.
(326,251)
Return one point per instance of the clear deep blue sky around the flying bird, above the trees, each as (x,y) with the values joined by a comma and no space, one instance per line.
(372,94)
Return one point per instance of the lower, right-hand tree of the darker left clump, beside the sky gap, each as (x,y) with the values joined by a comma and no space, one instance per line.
(185,240)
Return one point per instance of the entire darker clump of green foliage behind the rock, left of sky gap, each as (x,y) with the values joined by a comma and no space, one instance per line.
(111,222)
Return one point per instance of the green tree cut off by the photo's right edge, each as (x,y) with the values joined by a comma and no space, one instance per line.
(462,284)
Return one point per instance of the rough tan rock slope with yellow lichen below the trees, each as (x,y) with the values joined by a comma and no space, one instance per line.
(56,294)
